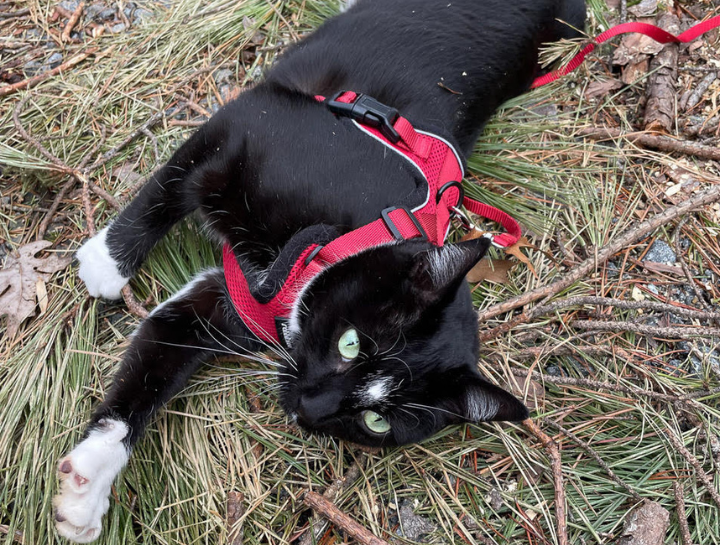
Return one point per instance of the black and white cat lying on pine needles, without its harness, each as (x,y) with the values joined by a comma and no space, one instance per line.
(384,343)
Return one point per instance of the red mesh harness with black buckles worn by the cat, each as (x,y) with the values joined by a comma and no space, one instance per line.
(441,167)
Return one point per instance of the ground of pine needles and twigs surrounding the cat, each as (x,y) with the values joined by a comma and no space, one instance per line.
(609,330)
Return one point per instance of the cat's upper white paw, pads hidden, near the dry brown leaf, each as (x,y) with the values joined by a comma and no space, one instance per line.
(98,269)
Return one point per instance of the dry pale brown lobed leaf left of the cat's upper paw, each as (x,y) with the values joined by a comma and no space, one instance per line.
(19,280)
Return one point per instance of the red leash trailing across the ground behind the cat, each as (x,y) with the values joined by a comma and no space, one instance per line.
(657,34)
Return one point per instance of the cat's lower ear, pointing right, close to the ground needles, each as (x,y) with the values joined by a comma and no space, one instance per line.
(476,400)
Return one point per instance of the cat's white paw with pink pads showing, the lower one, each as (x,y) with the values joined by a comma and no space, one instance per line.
(86,475)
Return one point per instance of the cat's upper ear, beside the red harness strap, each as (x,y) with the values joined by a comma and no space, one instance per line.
(436,269)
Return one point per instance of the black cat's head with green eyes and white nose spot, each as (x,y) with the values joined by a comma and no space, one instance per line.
(385,348)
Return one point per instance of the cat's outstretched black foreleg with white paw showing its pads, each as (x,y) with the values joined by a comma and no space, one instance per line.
(168,347)
